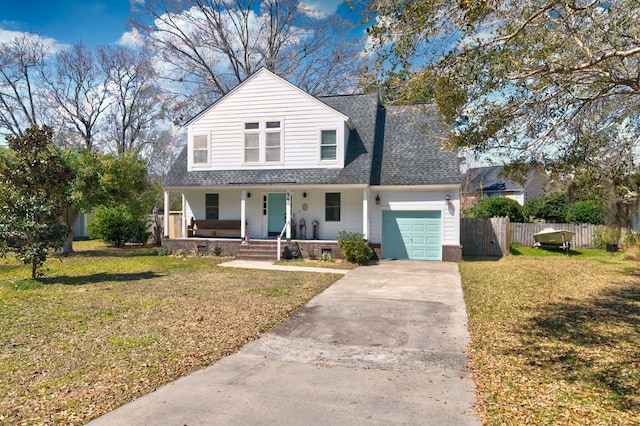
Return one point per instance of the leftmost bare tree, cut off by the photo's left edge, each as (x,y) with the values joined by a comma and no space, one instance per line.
(20,61)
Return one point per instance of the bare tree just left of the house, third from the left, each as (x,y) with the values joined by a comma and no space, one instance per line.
(137,99)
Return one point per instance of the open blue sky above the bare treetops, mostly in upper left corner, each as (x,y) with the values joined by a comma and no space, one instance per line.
(64,22)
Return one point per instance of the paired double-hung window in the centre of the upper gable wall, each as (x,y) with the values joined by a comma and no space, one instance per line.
(263,141)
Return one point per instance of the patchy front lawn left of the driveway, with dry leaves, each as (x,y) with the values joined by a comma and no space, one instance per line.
(108,325)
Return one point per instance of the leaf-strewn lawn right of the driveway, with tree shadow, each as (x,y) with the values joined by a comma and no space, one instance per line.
(555,338)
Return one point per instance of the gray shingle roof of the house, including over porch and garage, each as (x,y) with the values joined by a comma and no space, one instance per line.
(394,150)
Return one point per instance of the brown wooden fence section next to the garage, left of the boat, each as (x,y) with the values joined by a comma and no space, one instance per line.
(485,237)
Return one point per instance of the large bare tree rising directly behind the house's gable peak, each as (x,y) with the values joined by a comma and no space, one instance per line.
(209,46)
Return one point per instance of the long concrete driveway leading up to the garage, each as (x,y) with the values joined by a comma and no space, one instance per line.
(385,345)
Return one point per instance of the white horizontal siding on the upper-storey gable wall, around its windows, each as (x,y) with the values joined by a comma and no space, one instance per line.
(266,97)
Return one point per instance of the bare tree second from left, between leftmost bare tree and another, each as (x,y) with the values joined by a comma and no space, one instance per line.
(76,87)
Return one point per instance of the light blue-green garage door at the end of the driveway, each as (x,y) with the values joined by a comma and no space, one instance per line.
(411,235)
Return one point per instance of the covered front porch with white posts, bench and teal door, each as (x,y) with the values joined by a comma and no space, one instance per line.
(264,213)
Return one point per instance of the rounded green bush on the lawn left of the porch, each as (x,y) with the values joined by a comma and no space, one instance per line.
(117,226)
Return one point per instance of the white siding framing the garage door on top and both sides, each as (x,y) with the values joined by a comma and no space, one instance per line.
(418,200)
